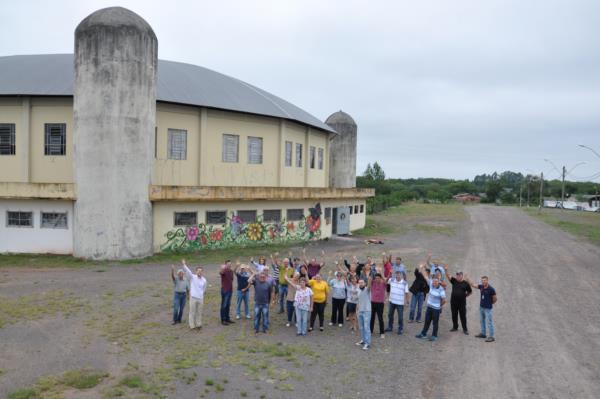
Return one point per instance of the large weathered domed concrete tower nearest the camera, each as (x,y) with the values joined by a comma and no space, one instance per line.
(114,114)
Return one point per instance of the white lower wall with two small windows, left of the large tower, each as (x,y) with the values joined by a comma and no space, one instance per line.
(36,239)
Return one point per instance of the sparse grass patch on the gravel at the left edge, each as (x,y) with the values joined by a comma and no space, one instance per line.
(32,307)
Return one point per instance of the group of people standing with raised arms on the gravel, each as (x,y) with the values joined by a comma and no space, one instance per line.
(301,288)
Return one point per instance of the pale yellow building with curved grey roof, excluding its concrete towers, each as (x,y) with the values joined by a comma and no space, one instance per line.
(232,165)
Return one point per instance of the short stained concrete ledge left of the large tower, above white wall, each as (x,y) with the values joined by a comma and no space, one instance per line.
(64,191)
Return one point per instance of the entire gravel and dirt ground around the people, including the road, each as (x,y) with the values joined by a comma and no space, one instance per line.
(117,320)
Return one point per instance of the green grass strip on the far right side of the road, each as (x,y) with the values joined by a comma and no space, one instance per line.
(581,224)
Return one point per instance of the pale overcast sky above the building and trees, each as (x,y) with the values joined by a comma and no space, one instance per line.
(437,88)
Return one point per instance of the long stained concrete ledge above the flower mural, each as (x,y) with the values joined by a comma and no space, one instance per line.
(220,193)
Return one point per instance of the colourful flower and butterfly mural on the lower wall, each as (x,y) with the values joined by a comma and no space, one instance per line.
(237,233)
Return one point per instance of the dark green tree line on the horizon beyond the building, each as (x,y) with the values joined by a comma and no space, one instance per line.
(506,187)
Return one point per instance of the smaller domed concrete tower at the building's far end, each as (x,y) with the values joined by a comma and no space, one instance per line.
(342,151)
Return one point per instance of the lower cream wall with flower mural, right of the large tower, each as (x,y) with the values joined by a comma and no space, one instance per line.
(167,236)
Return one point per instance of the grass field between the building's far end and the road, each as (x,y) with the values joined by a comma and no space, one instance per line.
(413,216)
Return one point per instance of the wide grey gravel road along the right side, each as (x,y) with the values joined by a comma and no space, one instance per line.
(547,316)
